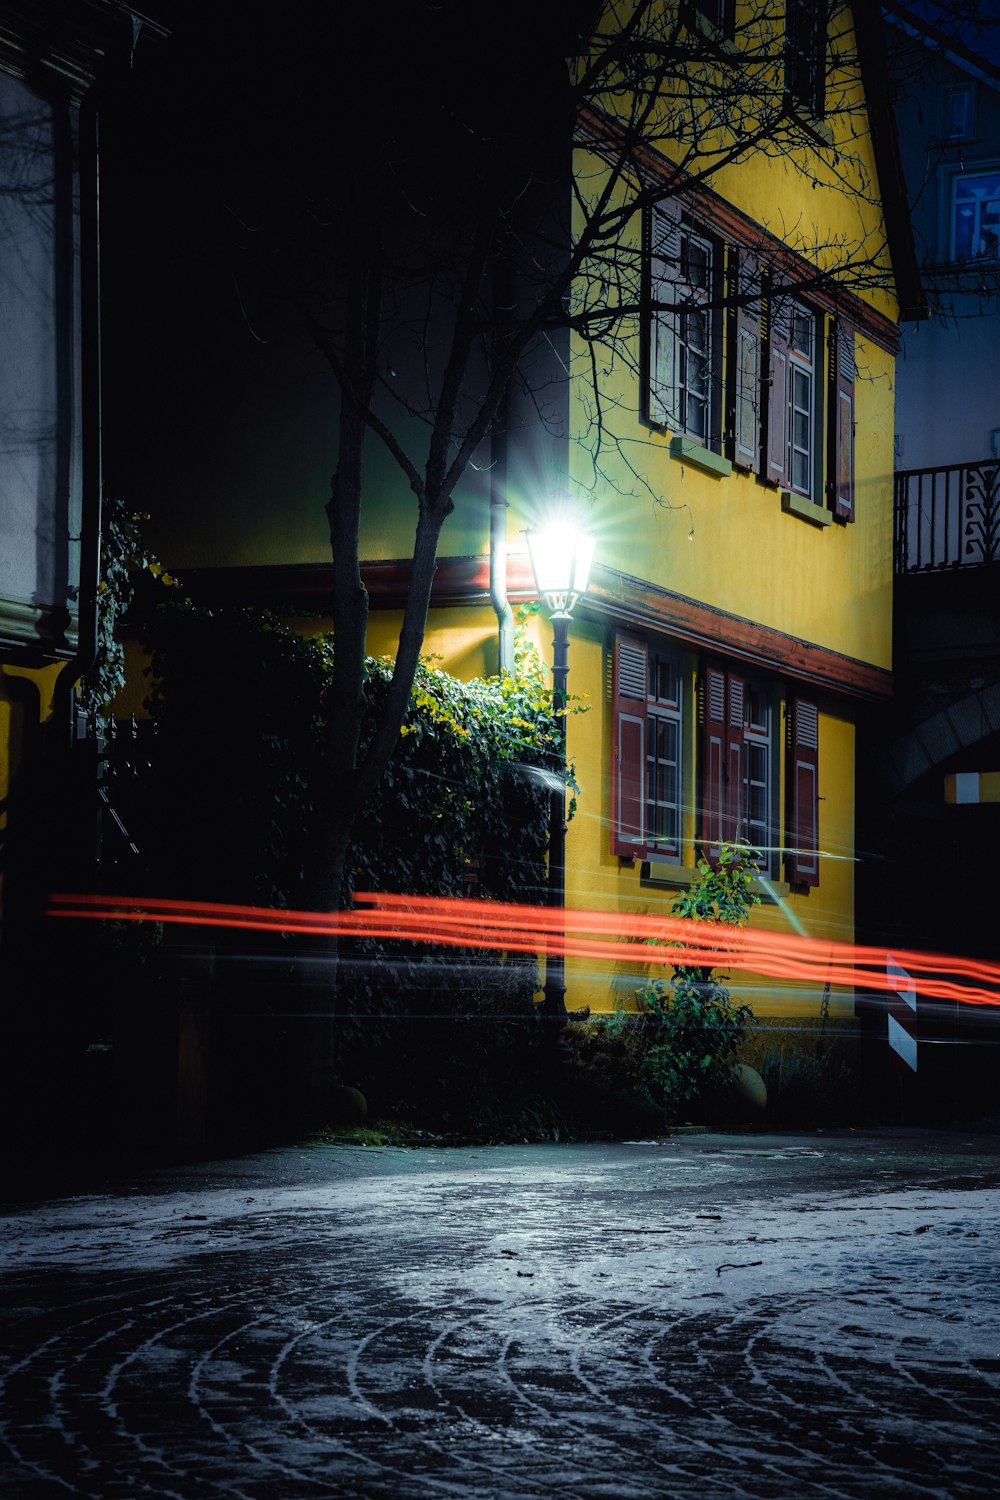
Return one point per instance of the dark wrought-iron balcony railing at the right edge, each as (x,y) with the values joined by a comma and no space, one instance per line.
(948,517)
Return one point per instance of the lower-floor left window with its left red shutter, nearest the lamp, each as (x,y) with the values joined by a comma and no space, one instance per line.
(648,751)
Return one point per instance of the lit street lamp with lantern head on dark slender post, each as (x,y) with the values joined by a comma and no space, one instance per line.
(561,559)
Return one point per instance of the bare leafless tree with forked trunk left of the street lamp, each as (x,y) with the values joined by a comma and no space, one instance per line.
(446,197)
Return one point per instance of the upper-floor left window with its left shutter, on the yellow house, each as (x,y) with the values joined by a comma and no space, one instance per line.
(684,328)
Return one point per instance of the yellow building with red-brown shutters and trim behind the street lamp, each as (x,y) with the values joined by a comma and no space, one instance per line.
(740,614)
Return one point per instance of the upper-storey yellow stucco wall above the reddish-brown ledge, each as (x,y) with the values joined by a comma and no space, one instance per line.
(726,542)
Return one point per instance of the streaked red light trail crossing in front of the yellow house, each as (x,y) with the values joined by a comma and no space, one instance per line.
(669,941)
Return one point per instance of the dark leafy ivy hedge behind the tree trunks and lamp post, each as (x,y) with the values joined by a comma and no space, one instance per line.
(230,809)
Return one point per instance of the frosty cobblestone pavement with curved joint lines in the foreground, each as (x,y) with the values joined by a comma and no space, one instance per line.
(708,1316)
